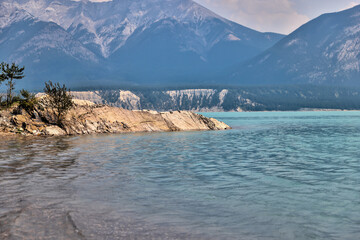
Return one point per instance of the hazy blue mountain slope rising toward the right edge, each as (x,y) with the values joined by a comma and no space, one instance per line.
(323,51)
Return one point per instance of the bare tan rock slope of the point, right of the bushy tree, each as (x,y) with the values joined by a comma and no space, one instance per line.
(105,119)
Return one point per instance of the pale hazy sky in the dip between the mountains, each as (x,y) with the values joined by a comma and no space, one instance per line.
(282,16)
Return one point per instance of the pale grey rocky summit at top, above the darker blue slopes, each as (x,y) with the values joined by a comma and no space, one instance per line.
(112,21)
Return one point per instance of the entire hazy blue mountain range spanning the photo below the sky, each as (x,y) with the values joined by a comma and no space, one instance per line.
(170,43)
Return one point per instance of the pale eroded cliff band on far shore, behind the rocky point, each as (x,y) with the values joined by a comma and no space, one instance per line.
(197,100)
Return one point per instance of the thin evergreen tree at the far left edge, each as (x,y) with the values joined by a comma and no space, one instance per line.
(10,73)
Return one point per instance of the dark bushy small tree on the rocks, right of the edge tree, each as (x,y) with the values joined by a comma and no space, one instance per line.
(58,99)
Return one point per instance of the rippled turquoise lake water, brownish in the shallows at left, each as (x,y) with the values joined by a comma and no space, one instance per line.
(274,176)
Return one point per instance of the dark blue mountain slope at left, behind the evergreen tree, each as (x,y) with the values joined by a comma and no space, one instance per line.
(46,49)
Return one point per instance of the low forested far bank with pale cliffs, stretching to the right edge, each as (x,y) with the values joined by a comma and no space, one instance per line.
(256,98)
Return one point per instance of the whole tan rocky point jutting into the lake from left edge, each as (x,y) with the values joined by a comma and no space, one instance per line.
(89,118)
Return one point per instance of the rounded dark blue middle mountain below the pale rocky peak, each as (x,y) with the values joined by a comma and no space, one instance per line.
(163,57)
